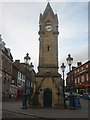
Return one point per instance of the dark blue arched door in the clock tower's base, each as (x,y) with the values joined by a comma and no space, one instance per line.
(47,98)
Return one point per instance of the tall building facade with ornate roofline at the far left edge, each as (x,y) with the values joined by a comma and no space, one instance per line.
(6,68)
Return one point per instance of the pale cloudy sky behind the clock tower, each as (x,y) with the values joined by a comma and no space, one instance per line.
(19,25)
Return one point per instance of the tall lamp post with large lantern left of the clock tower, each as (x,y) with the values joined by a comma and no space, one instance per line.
(27,59)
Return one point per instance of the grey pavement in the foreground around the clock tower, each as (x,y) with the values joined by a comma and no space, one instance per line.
(16,107)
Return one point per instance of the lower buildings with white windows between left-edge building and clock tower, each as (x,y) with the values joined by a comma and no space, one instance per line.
(19,76)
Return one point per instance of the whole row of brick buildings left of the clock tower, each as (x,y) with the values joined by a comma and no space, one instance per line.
(13,75)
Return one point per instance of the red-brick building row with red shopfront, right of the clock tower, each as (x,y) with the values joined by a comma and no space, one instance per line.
(80,78)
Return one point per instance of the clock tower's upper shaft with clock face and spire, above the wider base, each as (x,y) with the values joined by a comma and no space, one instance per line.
(48,50)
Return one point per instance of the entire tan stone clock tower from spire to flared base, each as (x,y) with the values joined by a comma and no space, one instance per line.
(48,83)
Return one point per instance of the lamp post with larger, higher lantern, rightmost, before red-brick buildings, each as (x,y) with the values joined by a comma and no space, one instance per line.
(69,62)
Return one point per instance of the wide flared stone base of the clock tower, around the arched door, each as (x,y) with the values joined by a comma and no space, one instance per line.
(48,92)
